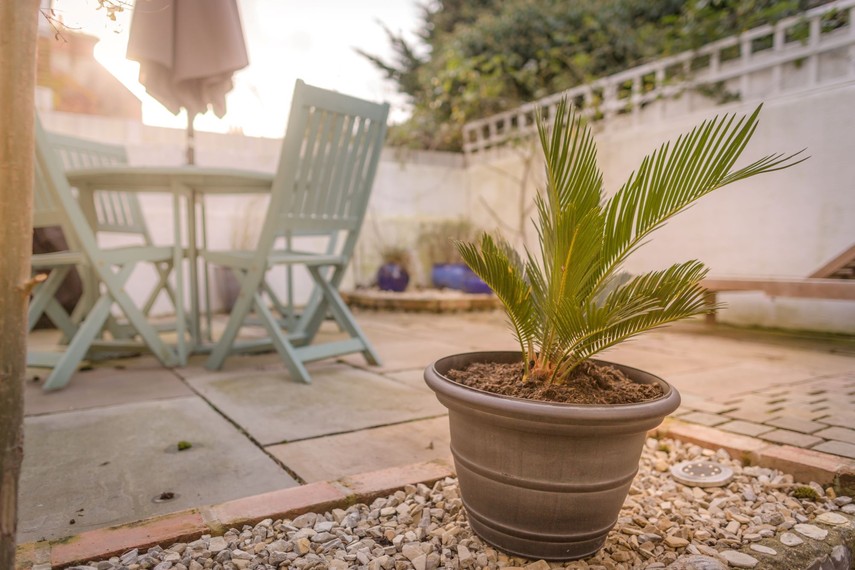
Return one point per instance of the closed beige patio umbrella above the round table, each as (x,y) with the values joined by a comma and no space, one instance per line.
(188,51)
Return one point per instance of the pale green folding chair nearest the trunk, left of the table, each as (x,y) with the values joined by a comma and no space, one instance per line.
(55,205)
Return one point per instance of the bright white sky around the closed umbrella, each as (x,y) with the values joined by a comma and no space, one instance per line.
(286,40)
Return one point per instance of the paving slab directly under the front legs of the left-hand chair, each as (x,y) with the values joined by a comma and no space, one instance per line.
(123,381)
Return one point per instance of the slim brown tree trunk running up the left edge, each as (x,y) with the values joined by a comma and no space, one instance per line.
(18,28)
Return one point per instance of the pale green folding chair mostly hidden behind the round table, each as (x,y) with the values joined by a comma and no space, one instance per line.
(115,212)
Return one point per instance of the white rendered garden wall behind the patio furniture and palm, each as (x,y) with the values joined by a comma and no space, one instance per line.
(783,224)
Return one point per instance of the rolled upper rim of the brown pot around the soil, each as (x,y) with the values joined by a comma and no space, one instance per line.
(452,393)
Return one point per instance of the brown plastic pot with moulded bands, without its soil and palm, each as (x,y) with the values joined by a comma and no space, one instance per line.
(543,480)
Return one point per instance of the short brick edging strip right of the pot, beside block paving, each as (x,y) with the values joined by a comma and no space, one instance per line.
(803,464)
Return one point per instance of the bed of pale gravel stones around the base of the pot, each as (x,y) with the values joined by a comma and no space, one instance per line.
(662,524)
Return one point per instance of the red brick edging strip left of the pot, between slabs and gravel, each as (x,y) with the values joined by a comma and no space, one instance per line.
(190,524)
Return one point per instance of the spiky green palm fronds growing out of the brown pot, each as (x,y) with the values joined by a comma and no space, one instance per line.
(571,302)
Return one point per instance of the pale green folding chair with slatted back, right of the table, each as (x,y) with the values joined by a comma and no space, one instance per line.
(326,170)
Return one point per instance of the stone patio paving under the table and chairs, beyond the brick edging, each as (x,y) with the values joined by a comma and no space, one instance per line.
(106,443)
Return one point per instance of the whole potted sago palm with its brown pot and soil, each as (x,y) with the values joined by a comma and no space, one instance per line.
(546,441)
